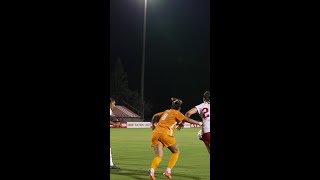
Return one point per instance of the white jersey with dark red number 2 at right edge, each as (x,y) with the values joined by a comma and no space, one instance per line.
(204,112)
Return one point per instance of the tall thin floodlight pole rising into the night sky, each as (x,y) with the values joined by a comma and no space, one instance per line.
(143,57)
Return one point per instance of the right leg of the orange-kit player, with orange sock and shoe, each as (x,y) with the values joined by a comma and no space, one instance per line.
(174,148)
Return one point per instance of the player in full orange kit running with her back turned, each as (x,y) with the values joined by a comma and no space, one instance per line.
(162,135)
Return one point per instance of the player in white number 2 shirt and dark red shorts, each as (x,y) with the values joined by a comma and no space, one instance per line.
(203,110)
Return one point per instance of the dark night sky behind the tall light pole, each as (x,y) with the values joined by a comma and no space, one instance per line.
(177,62)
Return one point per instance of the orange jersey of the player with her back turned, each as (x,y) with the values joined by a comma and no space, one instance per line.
(168,120)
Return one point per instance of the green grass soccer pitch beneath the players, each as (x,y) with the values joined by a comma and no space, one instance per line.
(131,151)
